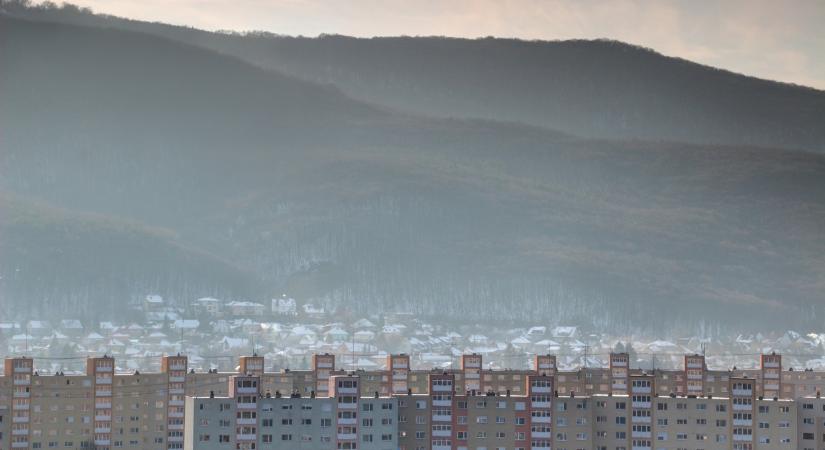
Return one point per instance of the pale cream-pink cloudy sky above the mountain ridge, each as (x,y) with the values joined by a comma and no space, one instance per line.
(776,39)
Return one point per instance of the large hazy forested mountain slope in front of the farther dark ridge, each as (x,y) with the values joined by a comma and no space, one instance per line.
(282,184)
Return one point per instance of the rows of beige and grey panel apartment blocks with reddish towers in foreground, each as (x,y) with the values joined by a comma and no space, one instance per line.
(615,408)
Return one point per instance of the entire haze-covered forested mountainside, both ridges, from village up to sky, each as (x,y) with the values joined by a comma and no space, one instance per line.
(246,182)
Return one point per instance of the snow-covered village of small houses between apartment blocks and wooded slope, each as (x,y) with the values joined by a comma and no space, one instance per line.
(214,333)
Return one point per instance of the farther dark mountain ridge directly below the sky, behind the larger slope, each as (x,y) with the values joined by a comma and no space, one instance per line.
(599,89)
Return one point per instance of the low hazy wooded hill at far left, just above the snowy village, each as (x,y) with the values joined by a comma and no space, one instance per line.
(56,263)
